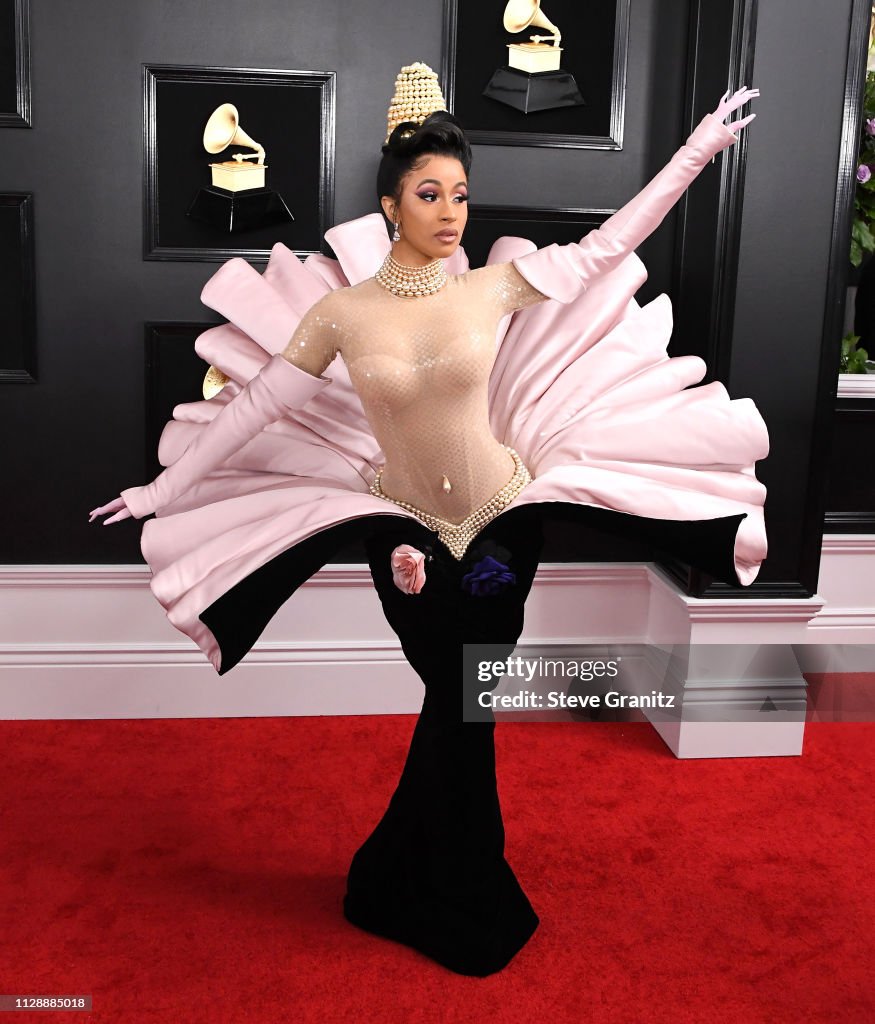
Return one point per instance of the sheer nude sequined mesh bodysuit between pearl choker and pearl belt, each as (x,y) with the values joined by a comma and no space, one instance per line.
(422,368)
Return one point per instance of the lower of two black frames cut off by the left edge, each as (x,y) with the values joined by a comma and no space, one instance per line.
(18,295)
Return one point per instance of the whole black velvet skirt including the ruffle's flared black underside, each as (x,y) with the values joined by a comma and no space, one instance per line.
(433,875)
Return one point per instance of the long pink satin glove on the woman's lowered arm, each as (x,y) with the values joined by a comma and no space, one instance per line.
(278,388)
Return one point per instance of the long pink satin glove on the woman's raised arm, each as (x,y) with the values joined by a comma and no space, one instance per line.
(563,272)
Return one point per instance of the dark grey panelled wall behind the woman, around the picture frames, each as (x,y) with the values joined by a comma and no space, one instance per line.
(75,438)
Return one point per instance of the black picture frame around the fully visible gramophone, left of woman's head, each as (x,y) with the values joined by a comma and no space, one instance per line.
(290,113)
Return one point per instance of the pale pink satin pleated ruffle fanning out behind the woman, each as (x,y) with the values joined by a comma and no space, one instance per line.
(584,391)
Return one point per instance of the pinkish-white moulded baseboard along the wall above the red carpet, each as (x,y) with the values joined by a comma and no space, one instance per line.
(91,642)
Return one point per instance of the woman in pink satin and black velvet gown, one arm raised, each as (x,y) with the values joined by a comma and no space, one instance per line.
(408,447)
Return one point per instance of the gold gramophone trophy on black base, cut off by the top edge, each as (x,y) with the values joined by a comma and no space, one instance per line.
(533,80)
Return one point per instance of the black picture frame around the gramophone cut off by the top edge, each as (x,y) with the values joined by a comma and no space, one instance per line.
(475,42)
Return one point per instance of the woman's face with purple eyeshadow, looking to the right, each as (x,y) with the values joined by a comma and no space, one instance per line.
(433,211)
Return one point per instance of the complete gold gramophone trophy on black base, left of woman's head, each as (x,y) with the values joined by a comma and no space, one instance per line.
(238,199)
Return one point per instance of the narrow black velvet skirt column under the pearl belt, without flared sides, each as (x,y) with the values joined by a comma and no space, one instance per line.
(433,875)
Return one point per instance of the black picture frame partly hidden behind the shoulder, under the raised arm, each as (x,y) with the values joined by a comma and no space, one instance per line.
(544,226)
